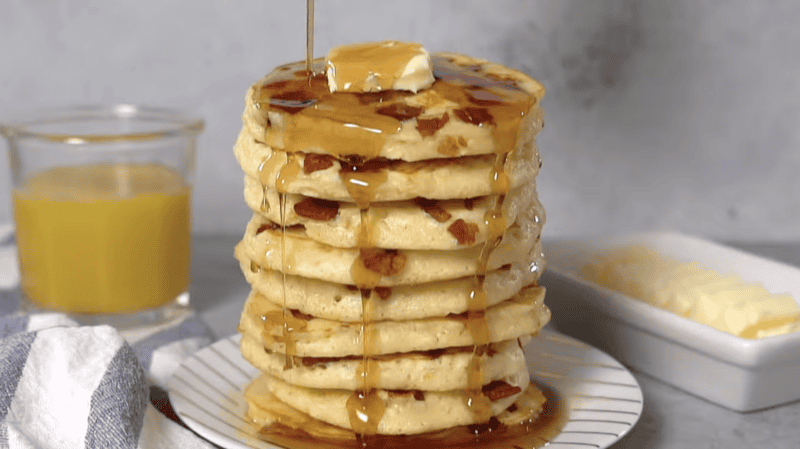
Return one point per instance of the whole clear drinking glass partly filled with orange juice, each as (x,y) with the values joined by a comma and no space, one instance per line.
(102,208)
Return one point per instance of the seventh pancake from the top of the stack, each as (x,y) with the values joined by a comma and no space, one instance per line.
(438,370)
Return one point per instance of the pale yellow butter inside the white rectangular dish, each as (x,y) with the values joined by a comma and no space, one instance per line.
(726,303)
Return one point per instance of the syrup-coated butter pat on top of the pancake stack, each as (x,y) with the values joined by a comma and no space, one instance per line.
(377,66)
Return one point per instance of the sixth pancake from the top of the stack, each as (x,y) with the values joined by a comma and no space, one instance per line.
(523,315)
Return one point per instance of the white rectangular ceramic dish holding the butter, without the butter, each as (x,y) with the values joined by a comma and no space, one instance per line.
(737,373)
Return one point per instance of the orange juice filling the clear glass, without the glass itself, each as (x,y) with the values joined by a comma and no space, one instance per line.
(103,239)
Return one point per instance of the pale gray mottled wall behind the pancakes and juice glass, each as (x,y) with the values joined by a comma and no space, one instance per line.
(680,114)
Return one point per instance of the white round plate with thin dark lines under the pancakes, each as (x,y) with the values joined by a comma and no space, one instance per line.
(602,399)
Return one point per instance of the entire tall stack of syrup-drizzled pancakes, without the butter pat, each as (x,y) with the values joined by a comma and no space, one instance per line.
(393,252)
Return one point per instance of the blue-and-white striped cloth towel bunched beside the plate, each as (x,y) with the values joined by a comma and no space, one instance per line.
(65,386)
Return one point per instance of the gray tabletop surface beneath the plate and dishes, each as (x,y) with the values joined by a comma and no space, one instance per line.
(671,418)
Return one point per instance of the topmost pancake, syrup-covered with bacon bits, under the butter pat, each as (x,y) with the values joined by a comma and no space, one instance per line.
(293,127)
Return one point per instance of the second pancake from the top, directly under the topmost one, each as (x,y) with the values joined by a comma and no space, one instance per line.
(392,180)
